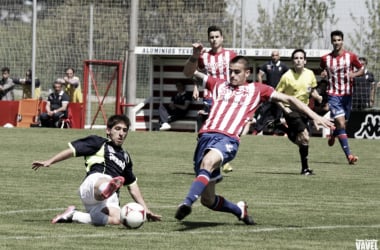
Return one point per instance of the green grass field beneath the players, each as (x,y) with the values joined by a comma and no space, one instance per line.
(329,210)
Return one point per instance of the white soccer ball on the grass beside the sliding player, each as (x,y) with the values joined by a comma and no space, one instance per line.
(132,215)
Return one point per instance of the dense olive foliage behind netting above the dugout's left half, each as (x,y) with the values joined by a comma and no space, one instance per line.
(179,23)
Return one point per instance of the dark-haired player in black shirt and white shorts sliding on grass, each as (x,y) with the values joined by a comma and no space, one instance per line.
(108,168)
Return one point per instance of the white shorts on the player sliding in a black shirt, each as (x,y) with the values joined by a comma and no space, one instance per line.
(87,194)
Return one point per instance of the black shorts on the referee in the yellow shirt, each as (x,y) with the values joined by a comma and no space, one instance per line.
(297,123)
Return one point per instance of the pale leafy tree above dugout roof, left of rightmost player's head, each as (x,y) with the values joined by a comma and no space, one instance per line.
(292,24)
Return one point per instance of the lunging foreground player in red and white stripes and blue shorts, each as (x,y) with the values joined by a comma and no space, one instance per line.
(234,102)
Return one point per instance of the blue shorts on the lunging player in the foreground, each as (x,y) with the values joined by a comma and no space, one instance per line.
(226,146)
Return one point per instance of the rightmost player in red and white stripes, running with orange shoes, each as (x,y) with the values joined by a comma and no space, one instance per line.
(340,67)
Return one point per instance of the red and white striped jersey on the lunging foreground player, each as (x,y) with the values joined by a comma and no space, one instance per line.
(233,105)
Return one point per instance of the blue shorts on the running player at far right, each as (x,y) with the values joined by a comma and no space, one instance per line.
(340,106)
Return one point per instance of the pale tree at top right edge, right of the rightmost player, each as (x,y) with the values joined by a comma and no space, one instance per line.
(366,37)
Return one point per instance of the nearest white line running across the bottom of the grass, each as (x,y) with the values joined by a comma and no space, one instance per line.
(177,233)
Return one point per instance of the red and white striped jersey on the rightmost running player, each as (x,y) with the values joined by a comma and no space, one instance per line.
(338,68)
